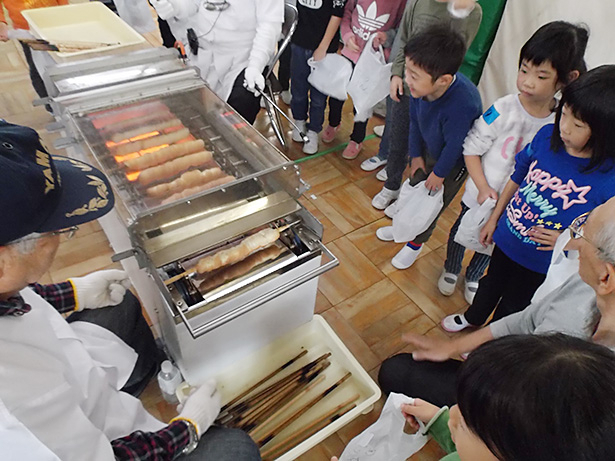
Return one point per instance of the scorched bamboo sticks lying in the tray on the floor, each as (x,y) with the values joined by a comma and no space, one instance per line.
(268,407)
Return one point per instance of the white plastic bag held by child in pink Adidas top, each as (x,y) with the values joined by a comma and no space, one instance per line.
(370,80)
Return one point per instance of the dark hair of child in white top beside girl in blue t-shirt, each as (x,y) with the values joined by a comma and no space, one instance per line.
(560,43)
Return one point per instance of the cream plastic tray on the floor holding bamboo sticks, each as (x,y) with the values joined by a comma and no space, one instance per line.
(318,338)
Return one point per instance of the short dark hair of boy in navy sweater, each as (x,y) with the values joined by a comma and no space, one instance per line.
(437,49)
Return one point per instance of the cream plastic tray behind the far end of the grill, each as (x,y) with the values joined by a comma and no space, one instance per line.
(83,22)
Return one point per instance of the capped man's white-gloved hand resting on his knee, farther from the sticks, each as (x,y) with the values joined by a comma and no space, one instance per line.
(100,289)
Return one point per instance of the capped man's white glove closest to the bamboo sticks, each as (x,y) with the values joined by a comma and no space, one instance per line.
(202,406)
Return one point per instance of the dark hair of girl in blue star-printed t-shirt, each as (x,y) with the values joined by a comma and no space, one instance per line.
(591,98)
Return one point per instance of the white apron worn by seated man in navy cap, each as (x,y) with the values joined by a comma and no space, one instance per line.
(52,385)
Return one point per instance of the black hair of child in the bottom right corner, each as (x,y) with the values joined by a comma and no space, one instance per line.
(541,398)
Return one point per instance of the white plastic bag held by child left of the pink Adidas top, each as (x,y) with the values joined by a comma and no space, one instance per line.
(331,75)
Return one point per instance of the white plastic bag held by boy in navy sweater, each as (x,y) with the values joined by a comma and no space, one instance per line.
(416,209)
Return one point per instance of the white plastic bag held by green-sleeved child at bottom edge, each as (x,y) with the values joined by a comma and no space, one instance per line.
(386,439)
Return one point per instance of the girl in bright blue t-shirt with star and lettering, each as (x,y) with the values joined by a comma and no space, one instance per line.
(568,169)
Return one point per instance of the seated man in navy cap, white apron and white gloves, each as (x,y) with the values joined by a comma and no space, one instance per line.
(60,382)
